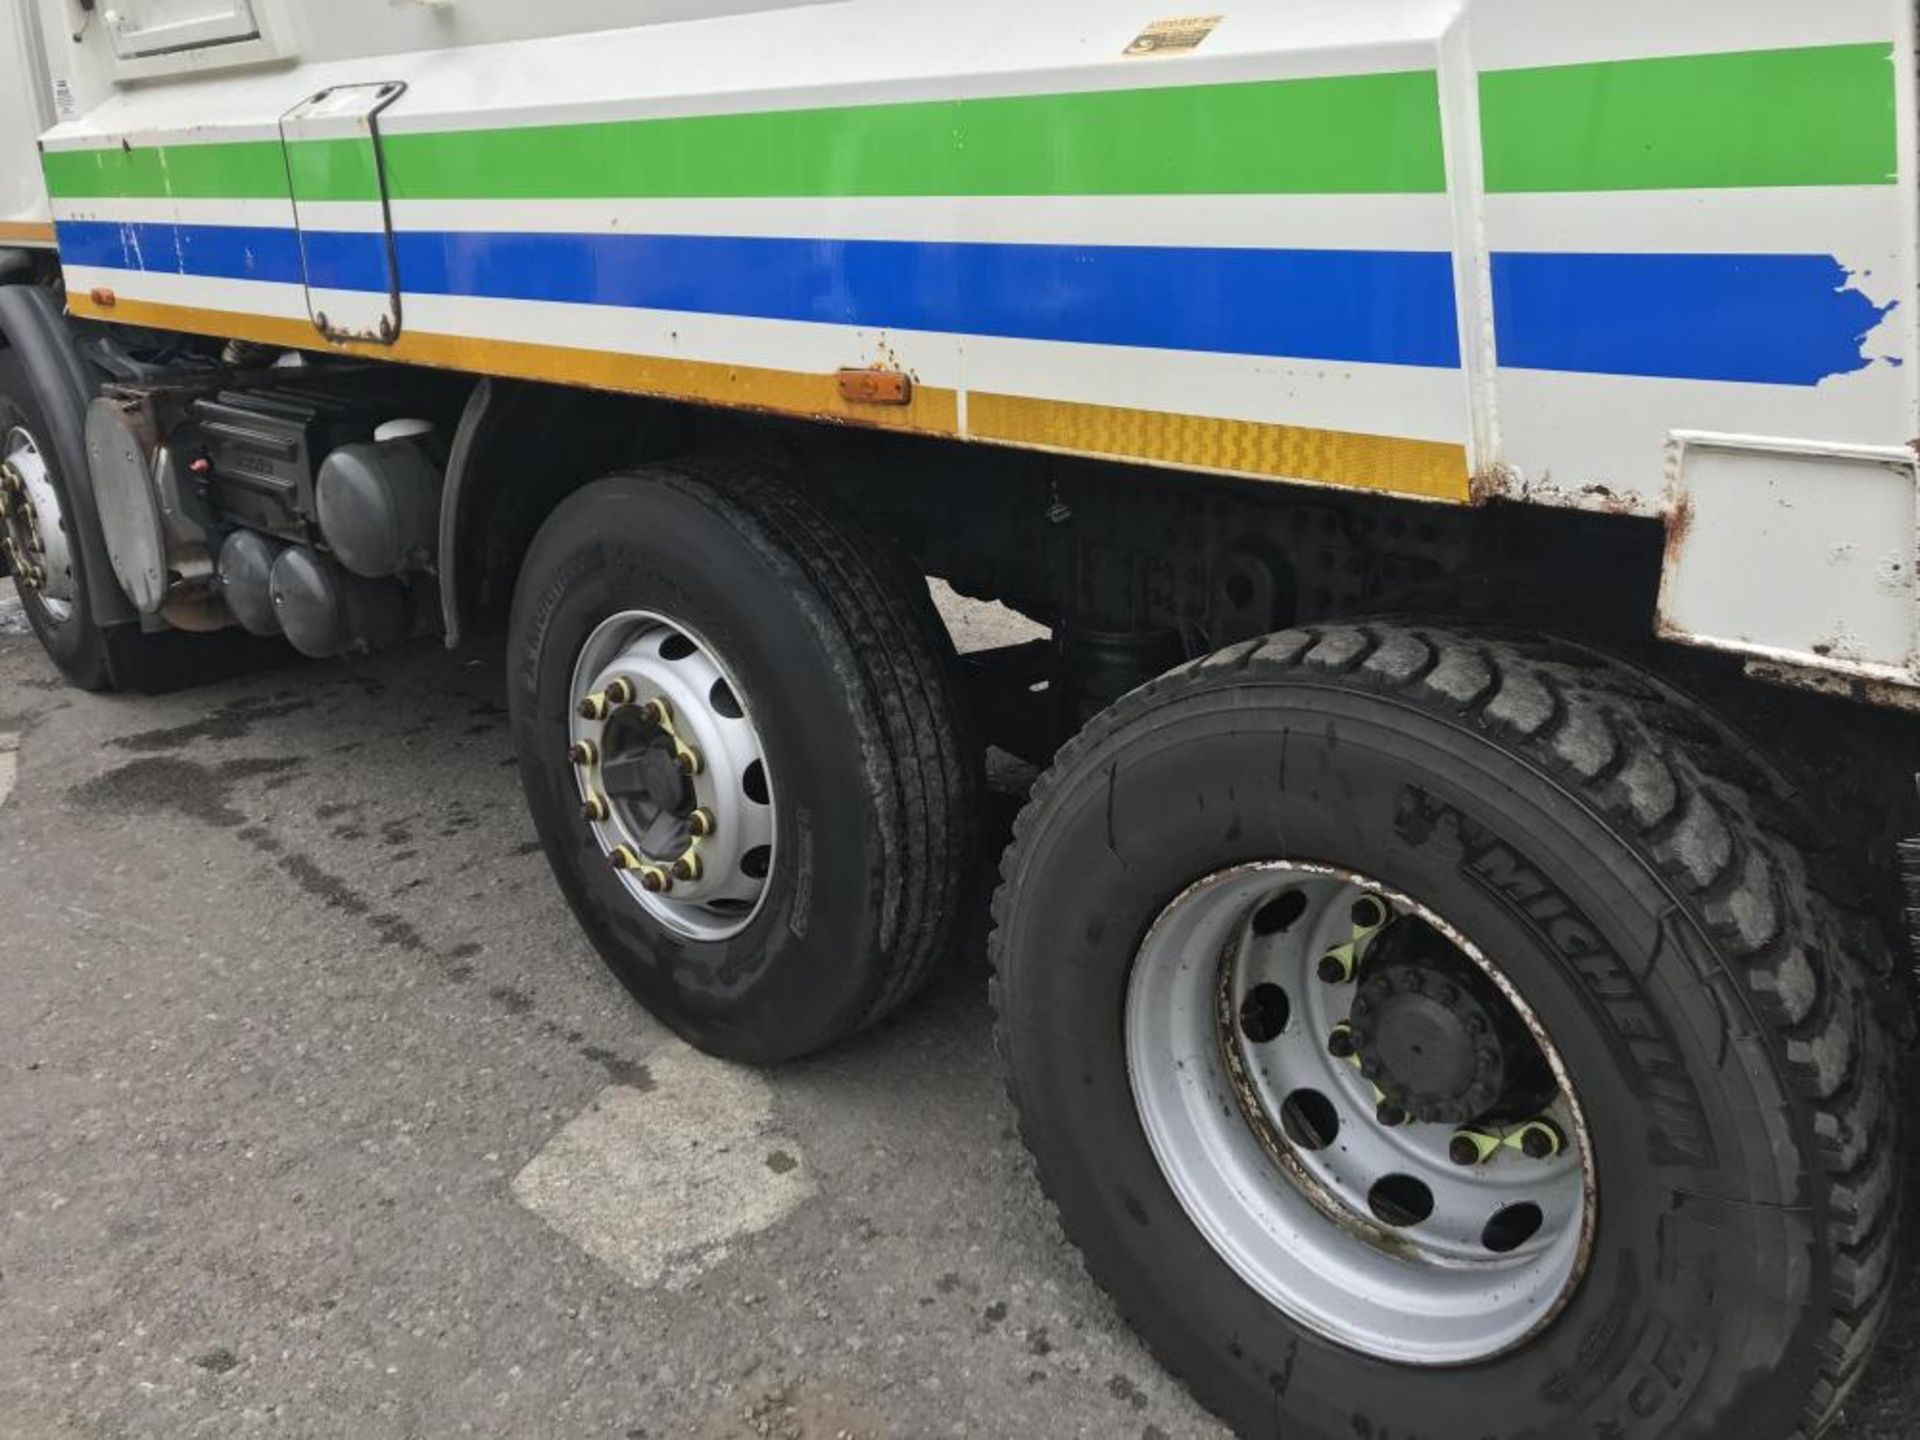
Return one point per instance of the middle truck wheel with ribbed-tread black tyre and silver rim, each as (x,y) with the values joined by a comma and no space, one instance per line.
(742,748)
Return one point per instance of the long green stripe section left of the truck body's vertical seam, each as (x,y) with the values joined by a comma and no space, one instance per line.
(1326,135)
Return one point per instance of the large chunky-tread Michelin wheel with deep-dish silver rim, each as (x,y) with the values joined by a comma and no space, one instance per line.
(1429,1034)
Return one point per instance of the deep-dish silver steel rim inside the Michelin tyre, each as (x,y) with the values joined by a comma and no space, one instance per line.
(1293,1218)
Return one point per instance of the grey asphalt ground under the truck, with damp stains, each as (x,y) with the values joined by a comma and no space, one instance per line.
(320,1118)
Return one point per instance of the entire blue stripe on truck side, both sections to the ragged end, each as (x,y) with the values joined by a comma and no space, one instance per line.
(1756,320)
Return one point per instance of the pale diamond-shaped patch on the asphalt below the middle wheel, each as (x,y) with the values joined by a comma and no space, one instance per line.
(660,1182)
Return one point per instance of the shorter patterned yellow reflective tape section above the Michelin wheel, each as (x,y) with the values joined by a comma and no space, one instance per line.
(1428,469)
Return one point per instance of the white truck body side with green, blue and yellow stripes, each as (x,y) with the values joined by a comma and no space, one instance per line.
(1700,306)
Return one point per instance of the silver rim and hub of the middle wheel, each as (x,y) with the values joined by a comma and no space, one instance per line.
(650,696)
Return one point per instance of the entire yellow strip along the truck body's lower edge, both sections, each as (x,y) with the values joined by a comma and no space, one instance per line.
(1426,469)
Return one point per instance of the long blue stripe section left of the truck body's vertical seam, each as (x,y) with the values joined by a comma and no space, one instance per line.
(1362,306)
